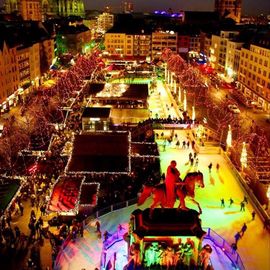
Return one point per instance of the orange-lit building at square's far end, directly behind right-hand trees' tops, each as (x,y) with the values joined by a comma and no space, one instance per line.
(162,40)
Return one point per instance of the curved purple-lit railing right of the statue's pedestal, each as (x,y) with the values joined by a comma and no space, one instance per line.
(220,242)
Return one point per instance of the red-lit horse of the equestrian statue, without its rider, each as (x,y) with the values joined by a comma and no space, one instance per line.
(185,188)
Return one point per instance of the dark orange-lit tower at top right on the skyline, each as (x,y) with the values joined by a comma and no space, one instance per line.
(229,9)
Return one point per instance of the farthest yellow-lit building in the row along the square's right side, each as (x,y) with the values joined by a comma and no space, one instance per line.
(218,49)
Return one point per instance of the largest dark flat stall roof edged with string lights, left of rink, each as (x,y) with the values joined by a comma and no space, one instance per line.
(100,152)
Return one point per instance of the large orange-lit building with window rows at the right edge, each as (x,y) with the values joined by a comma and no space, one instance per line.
(254,73)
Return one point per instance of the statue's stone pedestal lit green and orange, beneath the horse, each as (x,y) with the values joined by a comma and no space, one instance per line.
(165,238)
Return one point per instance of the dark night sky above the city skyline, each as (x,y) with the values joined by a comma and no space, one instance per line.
(249,7)
